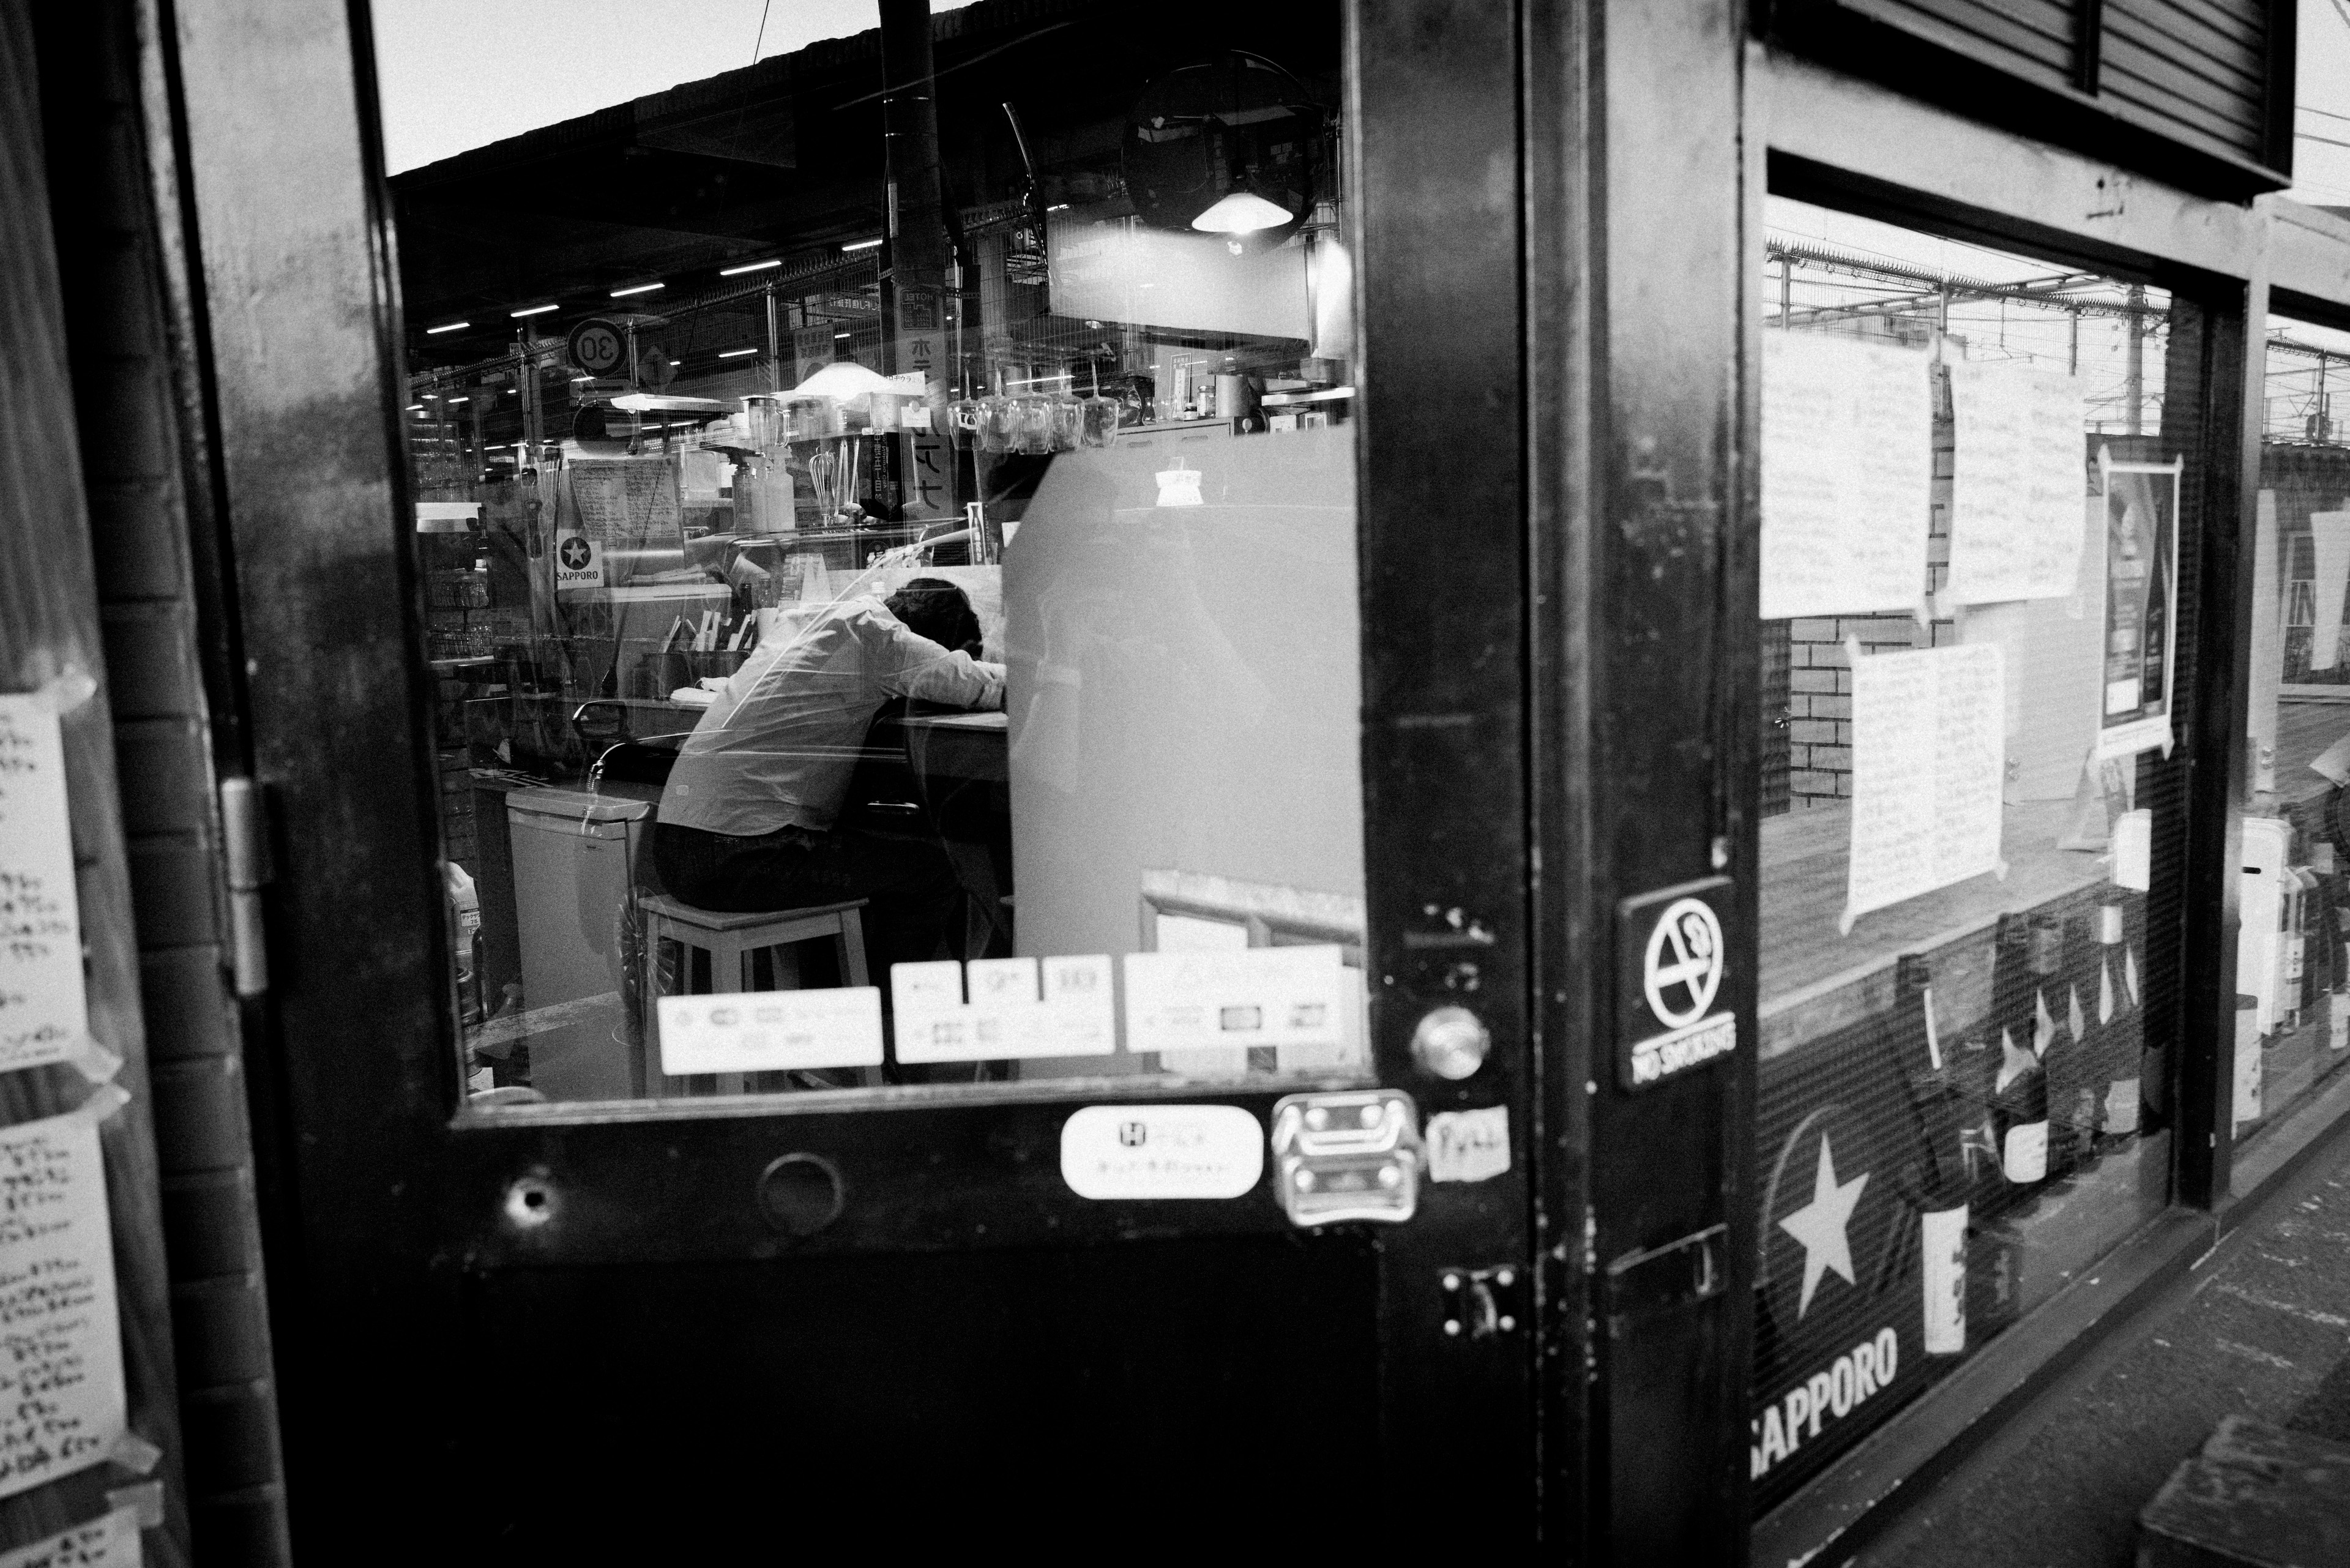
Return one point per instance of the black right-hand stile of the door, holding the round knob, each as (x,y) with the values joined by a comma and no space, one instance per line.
(1444,763)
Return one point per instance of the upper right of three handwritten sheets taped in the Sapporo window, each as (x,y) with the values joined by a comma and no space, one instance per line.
(2017,481)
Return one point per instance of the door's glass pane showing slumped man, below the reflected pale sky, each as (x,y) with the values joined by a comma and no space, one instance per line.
(889,556)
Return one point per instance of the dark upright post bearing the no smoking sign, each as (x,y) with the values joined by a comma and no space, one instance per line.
(1646,753)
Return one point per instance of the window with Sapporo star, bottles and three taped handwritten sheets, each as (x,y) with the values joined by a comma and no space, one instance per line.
(1973,502)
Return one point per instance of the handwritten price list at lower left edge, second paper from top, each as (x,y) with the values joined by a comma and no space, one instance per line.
(60,1341)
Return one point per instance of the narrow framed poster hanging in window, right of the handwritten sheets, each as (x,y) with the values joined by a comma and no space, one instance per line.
(2142,605)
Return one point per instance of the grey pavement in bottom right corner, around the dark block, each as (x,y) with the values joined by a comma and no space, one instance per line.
(2262,1327)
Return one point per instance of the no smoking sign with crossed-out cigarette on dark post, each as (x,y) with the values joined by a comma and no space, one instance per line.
(1672,958)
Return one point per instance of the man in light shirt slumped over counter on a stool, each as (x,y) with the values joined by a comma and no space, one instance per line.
(751,819)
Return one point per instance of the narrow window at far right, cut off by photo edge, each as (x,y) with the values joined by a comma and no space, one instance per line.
(2292,958)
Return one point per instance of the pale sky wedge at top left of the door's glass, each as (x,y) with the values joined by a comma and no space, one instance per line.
(462,74)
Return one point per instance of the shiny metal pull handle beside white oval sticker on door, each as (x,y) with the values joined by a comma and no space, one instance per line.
(1350,1155)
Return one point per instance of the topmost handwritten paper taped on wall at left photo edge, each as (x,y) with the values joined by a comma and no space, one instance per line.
(43,1012)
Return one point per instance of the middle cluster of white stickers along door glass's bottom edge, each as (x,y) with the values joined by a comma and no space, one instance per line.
(1016,1010)
